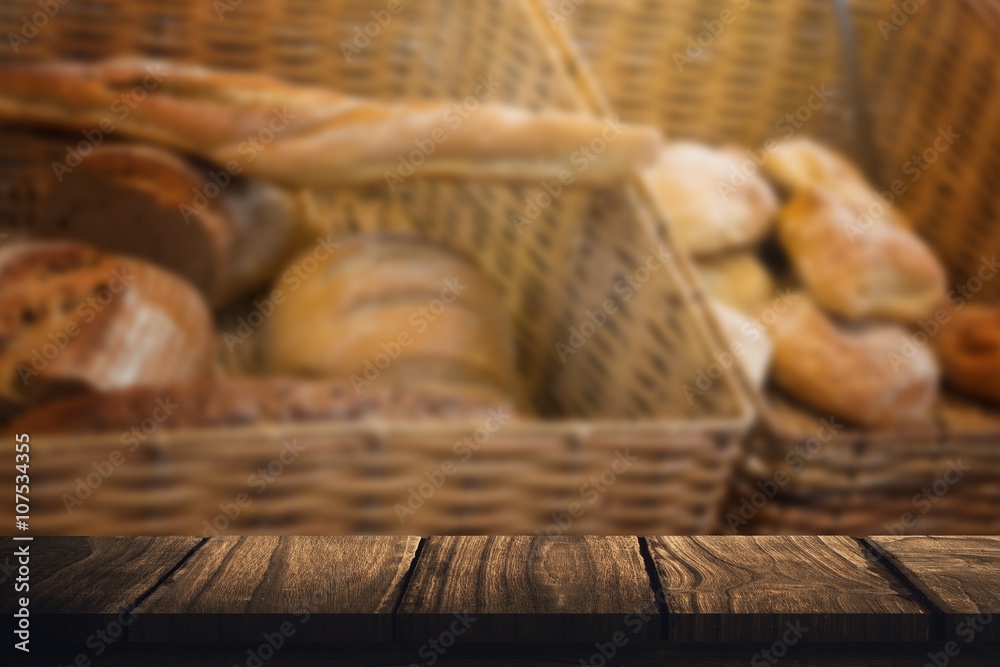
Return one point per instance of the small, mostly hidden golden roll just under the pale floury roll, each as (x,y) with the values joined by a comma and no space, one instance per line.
(739,280)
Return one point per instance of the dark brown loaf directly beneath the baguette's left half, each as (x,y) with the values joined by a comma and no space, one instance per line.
(225,234)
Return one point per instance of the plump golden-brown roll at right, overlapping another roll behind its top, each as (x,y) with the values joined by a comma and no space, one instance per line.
(859,270)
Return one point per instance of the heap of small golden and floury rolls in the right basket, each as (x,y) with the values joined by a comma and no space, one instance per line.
(822,289)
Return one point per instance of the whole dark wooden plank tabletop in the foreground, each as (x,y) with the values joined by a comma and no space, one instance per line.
(636,596)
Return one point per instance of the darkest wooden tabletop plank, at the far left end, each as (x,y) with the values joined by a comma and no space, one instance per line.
(80,586)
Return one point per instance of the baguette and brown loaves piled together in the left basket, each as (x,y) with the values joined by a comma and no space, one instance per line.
(114,304)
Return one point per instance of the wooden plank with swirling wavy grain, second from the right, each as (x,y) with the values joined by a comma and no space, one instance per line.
(796,589)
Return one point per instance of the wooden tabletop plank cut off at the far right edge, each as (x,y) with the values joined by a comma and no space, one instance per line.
(959,575)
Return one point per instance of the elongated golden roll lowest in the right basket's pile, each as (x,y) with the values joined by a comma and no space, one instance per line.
(856,374)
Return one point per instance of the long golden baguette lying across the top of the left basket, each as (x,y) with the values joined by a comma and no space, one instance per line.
(318,137)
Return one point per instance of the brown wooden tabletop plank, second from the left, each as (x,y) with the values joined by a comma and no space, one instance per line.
(306,589)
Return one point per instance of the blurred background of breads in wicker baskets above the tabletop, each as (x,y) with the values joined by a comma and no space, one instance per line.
(502,267)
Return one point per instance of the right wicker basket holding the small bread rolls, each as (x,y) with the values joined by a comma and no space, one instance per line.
(892,81)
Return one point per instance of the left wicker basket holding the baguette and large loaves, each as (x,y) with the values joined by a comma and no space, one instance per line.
(618,396)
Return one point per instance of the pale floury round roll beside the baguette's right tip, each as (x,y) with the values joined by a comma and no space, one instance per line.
(712,206)
